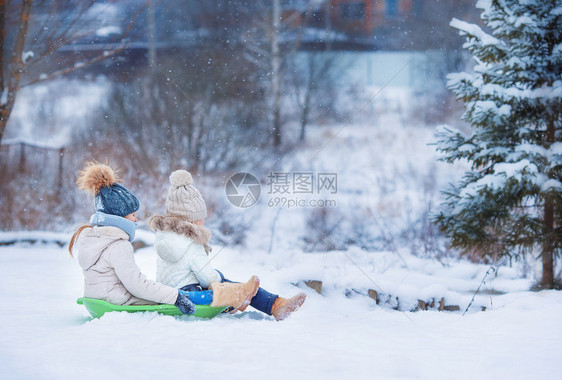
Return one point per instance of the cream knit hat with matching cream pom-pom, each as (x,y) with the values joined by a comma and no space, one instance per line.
(184,200)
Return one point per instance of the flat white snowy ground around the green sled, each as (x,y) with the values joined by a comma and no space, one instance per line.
(44,334)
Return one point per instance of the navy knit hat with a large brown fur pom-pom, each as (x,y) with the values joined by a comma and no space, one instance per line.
(109,196)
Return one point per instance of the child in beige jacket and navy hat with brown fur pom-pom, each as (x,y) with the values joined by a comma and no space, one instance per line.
(105,252)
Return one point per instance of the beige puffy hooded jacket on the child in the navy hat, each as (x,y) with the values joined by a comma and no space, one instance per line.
(110,271)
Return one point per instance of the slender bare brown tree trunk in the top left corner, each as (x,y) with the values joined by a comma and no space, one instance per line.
(10,85)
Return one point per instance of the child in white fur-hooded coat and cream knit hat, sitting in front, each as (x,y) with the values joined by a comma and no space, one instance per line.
(182,246)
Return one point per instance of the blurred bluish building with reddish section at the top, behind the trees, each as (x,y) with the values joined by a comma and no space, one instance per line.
(384,24)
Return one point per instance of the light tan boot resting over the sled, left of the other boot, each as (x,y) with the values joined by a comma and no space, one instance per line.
(234,294)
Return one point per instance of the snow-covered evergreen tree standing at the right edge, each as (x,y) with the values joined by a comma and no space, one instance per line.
(510,202)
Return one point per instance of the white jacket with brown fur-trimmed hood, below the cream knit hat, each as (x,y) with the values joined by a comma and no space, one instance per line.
(182,249)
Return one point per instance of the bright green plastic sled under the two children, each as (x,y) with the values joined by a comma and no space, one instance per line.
(97,308)
